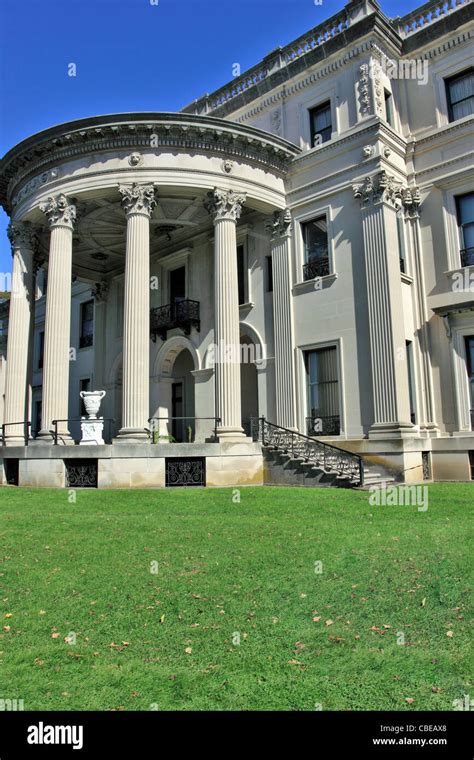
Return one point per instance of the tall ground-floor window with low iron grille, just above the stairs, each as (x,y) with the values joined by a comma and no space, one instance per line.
(323,391)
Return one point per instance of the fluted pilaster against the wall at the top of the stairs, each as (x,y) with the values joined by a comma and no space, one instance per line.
(280,230)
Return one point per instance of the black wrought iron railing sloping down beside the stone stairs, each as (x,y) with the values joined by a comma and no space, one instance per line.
(311,450)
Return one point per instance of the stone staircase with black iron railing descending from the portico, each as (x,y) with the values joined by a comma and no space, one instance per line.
(291,458)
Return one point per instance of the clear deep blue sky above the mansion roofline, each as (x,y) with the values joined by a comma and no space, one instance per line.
(133,55)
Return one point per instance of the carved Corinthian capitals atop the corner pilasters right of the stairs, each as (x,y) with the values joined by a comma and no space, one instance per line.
(384,187)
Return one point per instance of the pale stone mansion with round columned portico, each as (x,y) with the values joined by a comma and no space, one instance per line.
(285,266)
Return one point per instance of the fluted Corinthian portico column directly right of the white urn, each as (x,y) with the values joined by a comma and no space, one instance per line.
(138,202)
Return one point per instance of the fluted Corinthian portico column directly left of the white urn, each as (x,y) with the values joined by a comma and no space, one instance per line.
(61,215)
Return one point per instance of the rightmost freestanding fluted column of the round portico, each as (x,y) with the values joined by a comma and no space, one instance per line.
(225,206)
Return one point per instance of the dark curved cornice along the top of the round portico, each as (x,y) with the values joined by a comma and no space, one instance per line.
(41,155)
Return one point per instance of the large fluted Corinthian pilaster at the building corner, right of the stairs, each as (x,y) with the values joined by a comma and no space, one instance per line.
(381,196)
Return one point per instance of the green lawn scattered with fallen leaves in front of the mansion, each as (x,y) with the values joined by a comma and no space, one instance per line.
(170,640)
